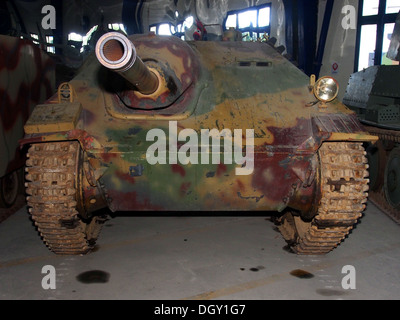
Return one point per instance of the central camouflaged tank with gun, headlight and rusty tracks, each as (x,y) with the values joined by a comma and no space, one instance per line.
(159,124)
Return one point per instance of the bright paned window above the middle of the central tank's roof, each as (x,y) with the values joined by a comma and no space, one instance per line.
(253,22)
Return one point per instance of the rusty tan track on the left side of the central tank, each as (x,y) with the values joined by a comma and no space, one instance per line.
(51,187)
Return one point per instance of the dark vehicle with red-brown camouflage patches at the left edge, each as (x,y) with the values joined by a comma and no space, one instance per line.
(27,77)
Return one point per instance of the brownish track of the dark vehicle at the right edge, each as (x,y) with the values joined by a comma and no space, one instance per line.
(377,197)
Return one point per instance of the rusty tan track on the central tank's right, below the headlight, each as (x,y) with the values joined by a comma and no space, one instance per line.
(344,192)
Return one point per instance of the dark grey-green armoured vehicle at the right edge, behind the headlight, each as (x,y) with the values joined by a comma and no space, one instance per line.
(374,94)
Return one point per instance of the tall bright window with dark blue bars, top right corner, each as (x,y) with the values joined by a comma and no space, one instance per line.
(375,28)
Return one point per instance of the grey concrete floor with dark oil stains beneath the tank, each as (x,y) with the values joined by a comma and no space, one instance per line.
(174,258)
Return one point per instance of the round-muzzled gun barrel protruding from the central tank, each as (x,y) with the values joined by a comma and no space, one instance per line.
(116,52)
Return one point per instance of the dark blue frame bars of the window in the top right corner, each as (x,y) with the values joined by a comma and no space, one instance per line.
(380,20)
